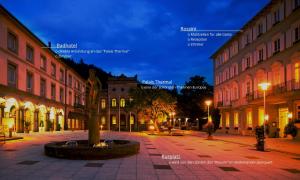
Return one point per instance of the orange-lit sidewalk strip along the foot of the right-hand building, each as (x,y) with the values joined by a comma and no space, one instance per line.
(283,145)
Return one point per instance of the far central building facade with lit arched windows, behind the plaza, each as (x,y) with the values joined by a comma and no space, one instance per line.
(114,101)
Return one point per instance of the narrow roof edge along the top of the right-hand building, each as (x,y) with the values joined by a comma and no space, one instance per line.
(249,23)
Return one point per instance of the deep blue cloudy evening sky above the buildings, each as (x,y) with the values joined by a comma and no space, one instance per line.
(150,29)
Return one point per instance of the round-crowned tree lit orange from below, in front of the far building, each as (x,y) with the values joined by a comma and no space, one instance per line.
(151,103)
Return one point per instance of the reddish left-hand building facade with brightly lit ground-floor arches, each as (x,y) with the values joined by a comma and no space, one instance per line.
(38,92)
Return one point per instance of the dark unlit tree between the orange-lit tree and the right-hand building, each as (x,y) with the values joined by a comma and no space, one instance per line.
(191,99)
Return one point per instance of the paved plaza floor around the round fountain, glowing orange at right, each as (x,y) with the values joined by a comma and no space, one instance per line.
(160,157)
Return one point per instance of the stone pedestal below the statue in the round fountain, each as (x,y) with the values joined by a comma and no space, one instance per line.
(94,136)
